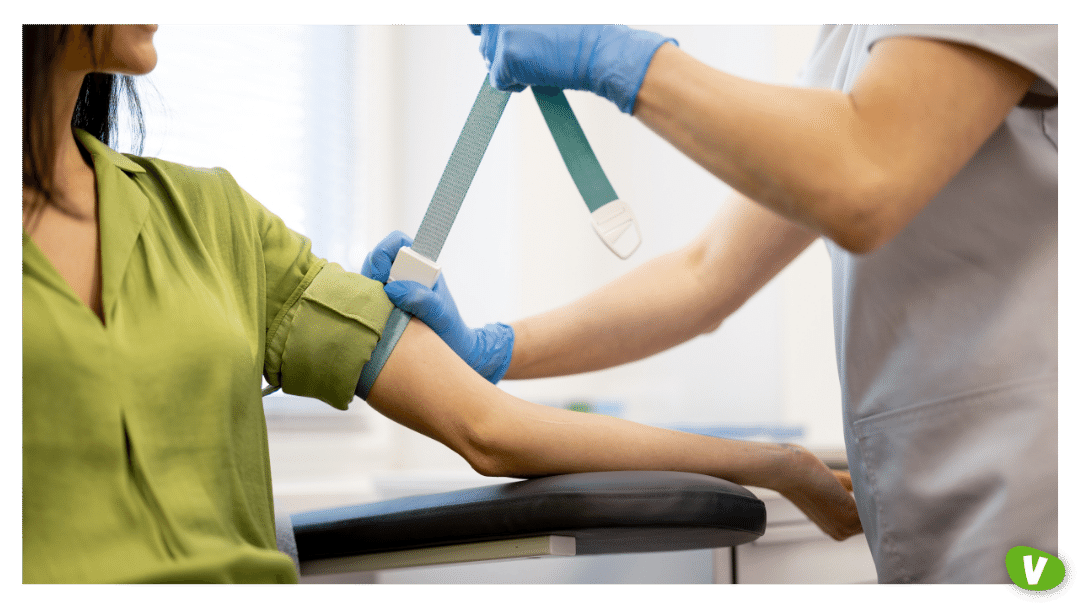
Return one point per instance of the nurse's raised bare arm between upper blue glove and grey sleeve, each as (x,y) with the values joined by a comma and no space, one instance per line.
(854,167)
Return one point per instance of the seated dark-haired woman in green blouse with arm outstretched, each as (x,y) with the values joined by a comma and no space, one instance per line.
(156,296)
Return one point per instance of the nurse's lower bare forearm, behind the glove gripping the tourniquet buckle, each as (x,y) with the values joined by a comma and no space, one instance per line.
(665,302)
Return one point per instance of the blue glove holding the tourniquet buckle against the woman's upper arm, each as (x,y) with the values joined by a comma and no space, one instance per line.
(487,349)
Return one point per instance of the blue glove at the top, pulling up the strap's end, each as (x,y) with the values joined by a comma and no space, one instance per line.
(607,60)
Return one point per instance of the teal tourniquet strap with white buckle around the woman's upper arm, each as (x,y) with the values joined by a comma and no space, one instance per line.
(612,219)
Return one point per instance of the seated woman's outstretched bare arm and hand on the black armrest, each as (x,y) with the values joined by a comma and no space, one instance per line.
(429,389)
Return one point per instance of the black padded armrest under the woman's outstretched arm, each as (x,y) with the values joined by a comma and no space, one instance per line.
(613,512)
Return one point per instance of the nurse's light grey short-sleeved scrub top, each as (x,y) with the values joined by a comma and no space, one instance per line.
(948,339)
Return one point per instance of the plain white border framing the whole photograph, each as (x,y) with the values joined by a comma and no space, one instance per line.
(436,11)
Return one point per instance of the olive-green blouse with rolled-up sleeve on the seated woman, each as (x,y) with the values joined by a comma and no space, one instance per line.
(145,454)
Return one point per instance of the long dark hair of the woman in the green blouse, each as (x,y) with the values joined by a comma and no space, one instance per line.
(96,112)
